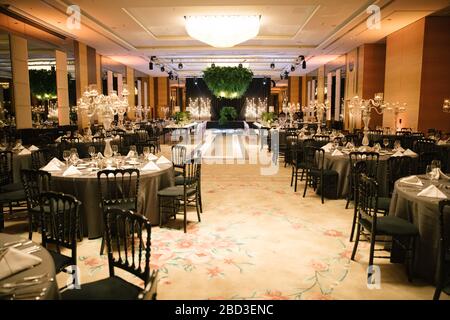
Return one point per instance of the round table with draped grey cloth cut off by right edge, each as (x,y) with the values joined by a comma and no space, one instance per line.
(424,212)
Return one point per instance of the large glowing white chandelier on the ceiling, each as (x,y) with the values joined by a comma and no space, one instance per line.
(223,31)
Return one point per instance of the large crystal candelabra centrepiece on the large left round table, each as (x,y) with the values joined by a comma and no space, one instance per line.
(106,107)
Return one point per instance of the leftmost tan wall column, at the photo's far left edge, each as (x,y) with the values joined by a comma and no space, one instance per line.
(21,82)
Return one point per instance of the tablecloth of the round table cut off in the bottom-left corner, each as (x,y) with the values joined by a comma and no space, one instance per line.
(46,266)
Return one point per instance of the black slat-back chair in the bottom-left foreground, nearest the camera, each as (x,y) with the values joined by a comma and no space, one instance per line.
(128,241)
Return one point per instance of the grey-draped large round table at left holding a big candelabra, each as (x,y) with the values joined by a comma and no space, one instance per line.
(85,188)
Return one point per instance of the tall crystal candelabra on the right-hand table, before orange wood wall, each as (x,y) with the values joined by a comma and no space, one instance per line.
(364,108)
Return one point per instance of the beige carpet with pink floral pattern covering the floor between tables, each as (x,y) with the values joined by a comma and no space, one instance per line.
(259,240)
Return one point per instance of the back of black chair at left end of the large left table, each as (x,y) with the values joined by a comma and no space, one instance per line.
(35,182)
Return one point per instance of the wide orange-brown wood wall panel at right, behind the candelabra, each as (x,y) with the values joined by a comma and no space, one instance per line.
(404,53)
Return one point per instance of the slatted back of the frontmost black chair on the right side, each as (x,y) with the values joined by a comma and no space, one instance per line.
(367,205)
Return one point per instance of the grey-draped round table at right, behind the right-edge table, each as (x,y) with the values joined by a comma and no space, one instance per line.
(341,164)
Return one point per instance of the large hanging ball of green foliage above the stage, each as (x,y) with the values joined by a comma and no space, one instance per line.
(228,82)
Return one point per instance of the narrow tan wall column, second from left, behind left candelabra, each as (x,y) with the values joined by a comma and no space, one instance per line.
(62,88)
